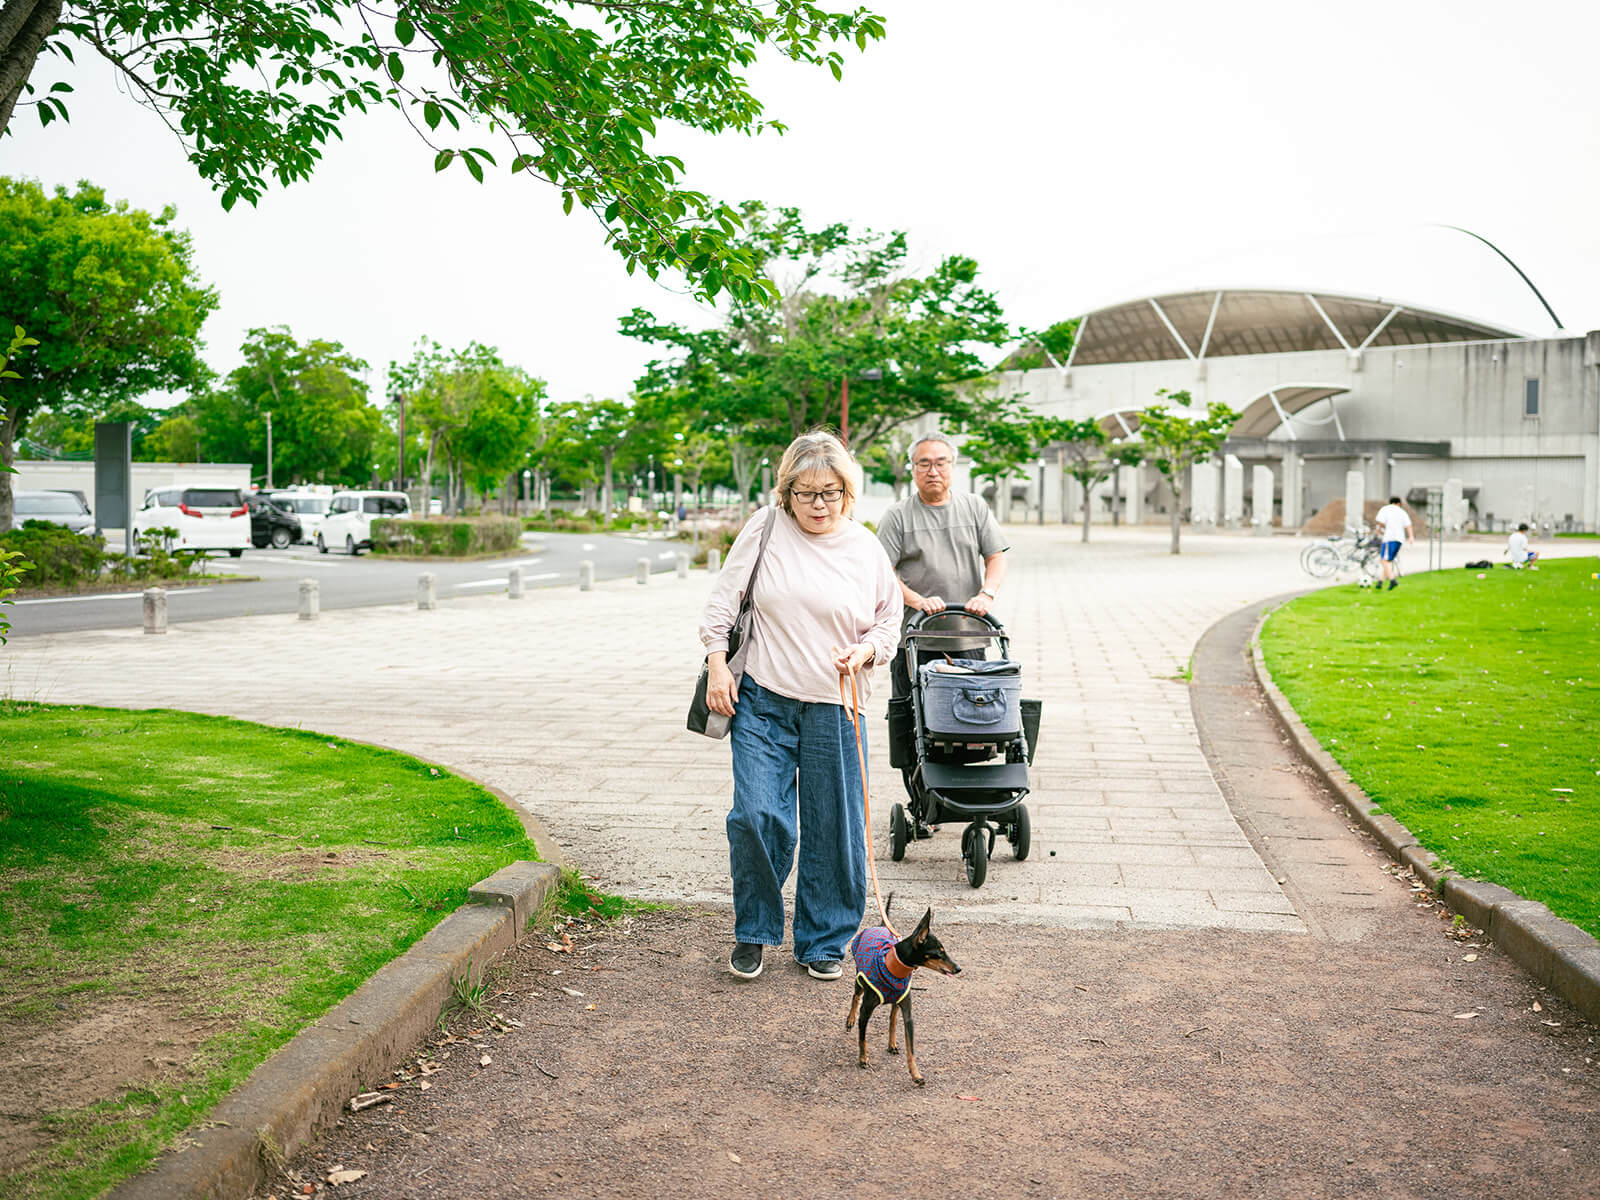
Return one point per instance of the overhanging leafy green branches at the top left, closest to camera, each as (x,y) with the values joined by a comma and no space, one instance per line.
(570,90)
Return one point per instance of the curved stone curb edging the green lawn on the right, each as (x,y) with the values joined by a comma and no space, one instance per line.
(1553,951)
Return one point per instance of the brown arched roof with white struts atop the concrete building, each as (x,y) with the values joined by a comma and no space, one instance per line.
(1234,322)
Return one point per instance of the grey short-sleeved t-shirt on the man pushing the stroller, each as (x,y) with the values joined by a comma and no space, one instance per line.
(942,550)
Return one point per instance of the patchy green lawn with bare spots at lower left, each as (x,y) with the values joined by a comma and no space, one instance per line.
(225,882)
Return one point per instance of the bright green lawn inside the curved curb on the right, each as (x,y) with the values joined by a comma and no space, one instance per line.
(1470,710)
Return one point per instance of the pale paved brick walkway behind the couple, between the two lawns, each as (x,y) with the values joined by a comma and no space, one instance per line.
(572,703)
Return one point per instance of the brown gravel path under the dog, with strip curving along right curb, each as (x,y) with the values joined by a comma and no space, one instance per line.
(1385,1054)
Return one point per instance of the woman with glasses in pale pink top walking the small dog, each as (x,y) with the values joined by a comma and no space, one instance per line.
(825,604)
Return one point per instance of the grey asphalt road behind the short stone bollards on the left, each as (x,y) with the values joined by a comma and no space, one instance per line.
(546,561)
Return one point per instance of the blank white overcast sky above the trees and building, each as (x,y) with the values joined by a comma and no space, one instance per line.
(1084,154)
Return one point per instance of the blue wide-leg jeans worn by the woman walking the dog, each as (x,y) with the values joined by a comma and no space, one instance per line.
(796,759)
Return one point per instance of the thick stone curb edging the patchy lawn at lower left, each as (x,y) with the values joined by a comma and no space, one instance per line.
(306,1084)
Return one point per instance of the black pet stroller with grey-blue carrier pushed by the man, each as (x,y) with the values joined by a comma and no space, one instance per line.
(964,742)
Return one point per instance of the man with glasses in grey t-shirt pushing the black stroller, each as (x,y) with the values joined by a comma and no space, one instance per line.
(946,550)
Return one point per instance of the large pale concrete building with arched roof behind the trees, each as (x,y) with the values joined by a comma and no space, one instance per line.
(1327,385)
